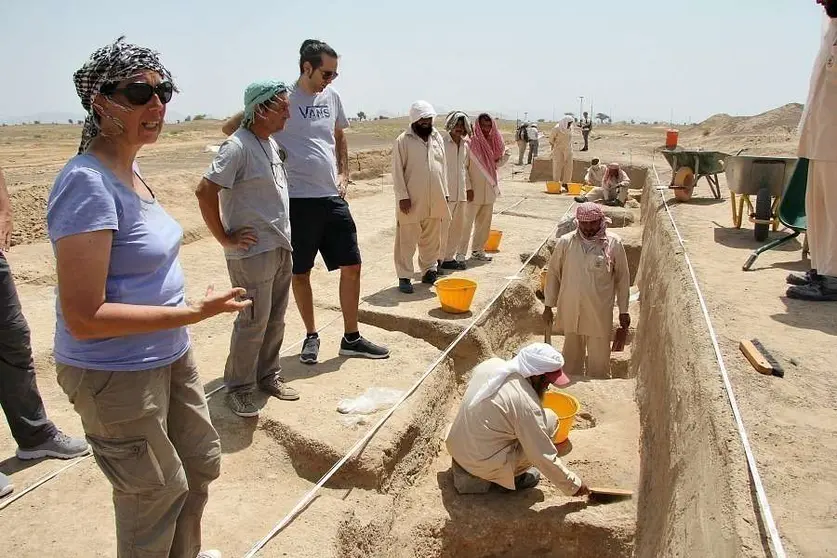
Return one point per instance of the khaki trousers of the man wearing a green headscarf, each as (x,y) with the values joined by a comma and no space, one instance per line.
(259,330)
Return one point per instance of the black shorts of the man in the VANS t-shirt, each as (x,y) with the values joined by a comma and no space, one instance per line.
(323,225)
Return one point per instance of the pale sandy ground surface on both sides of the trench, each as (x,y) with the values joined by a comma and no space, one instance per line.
(268,464)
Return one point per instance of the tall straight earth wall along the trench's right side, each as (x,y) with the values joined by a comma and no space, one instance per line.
(695,495)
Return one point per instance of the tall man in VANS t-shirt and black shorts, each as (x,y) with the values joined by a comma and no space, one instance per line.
(317,166)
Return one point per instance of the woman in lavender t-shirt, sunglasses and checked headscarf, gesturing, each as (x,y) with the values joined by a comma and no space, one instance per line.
(121,344)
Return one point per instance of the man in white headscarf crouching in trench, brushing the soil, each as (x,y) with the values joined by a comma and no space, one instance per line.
(502,429)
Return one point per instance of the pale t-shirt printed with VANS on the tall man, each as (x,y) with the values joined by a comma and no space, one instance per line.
(308,139)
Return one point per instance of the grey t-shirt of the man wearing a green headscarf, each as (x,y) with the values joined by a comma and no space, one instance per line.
(254,191)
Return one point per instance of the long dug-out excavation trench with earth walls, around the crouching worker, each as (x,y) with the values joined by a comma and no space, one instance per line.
(659,424)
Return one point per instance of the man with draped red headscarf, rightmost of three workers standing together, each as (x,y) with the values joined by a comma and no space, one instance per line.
(488,153)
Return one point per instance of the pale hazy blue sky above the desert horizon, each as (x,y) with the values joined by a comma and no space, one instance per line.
(640,59)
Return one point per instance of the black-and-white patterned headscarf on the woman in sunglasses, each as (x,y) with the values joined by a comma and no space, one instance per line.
(111,64)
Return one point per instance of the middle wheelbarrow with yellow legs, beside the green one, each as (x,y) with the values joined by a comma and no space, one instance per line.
(762,177)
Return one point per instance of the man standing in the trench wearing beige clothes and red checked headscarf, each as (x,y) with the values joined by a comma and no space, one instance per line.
(587,271)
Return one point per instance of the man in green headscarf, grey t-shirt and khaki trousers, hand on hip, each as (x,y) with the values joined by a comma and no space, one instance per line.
(252,223)
